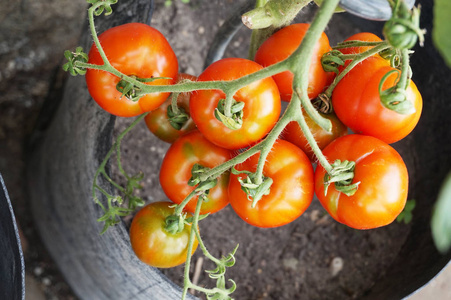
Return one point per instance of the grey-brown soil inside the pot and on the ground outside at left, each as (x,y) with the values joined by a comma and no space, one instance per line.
(312,258)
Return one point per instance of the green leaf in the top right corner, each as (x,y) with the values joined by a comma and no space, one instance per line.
(441,32)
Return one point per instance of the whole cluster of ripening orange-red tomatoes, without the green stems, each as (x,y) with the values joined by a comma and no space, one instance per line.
(203,140)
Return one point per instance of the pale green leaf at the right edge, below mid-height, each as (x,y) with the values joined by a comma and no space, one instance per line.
(441,220)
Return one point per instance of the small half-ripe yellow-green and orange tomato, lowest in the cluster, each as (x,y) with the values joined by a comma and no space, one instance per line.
(151,242)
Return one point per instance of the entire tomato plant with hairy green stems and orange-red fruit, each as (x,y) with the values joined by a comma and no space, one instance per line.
(235,104)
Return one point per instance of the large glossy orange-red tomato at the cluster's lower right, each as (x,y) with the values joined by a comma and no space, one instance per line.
(382,192)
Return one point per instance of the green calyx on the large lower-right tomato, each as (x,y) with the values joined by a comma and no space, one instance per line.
(341,174)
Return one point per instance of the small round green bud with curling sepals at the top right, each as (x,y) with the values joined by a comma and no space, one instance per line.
(403,29)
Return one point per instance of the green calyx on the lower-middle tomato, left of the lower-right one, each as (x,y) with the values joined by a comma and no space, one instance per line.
(254,186)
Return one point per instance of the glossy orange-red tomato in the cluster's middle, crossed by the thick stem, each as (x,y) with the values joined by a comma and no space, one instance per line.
(261,104)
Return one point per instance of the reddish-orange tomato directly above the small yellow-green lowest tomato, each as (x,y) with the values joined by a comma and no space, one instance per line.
(190,149)
